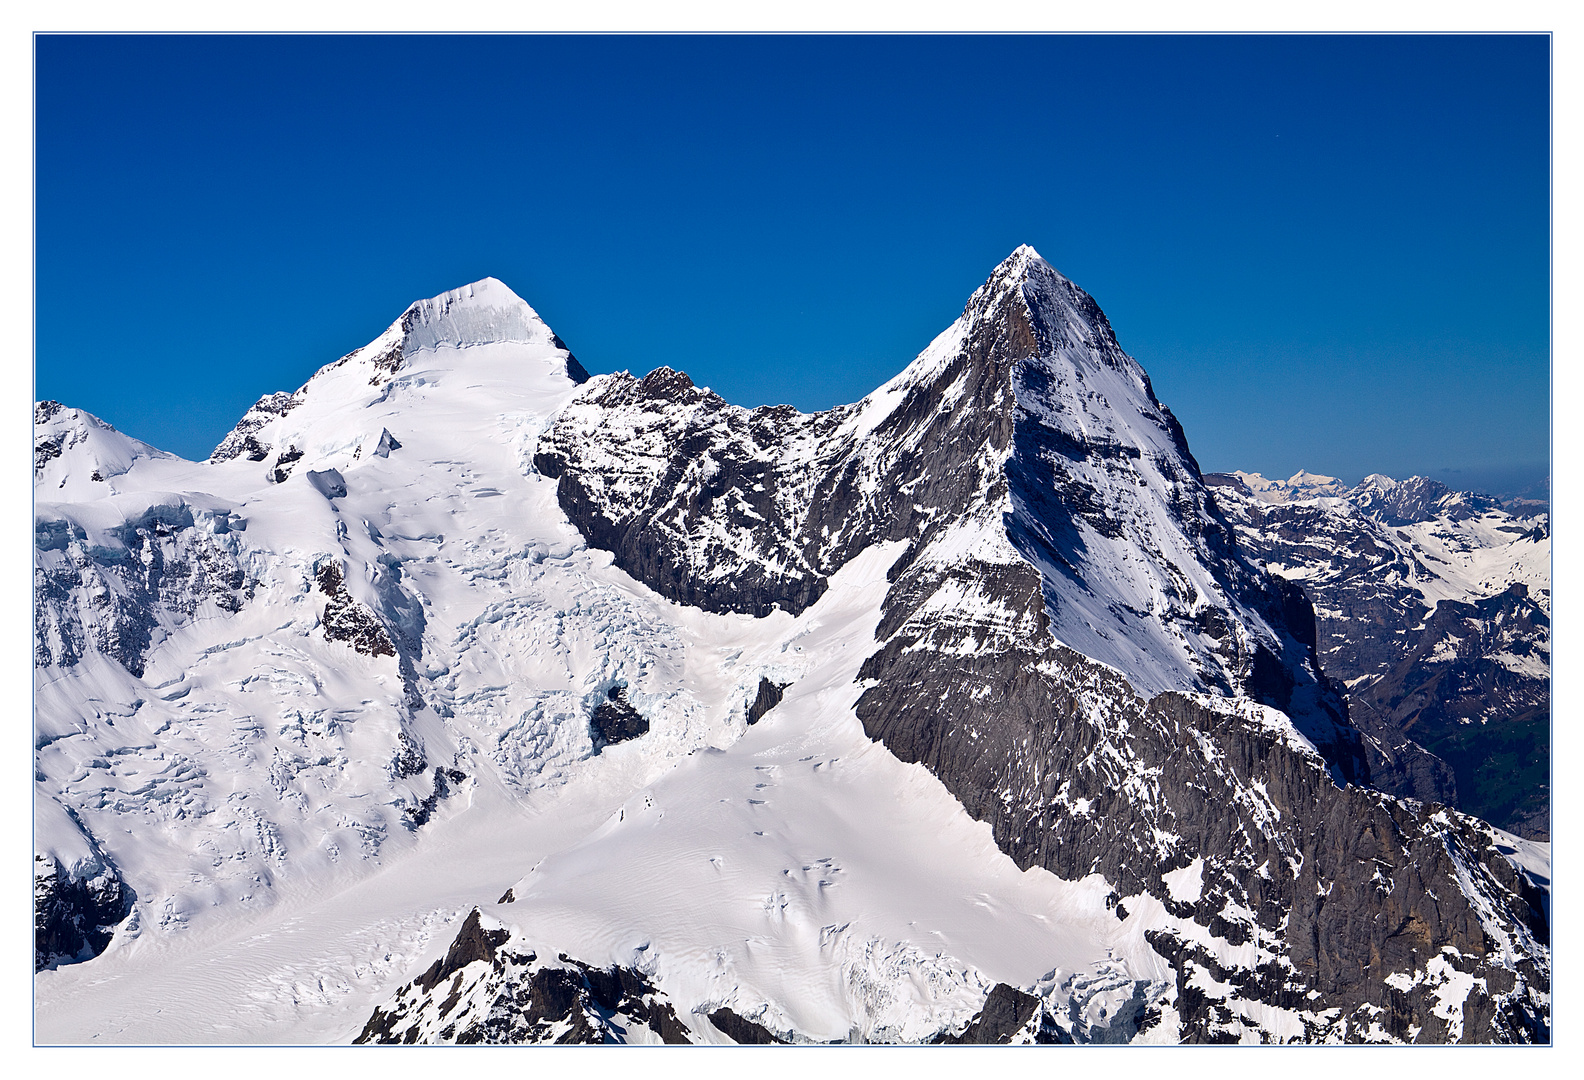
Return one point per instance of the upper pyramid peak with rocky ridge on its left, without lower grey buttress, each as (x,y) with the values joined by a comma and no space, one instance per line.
(1037,485)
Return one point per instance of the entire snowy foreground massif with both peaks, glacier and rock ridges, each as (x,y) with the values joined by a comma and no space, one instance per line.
(303,707)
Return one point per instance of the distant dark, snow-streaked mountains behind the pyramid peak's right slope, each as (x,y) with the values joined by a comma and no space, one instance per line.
(1455,704)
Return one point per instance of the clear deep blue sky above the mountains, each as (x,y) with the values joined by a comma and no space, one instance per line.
(1328,253)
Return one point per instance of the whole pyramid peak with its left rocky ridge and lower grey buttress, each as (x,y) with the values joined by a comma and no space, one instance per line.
(1029,430)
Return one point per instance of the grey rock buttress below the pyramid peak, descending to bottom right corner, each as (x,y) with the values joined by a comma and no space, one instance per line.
(1341,888)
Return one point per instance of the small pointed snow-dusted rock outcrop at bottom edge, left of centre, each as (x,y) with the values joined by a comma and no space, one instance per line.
(500,997)
